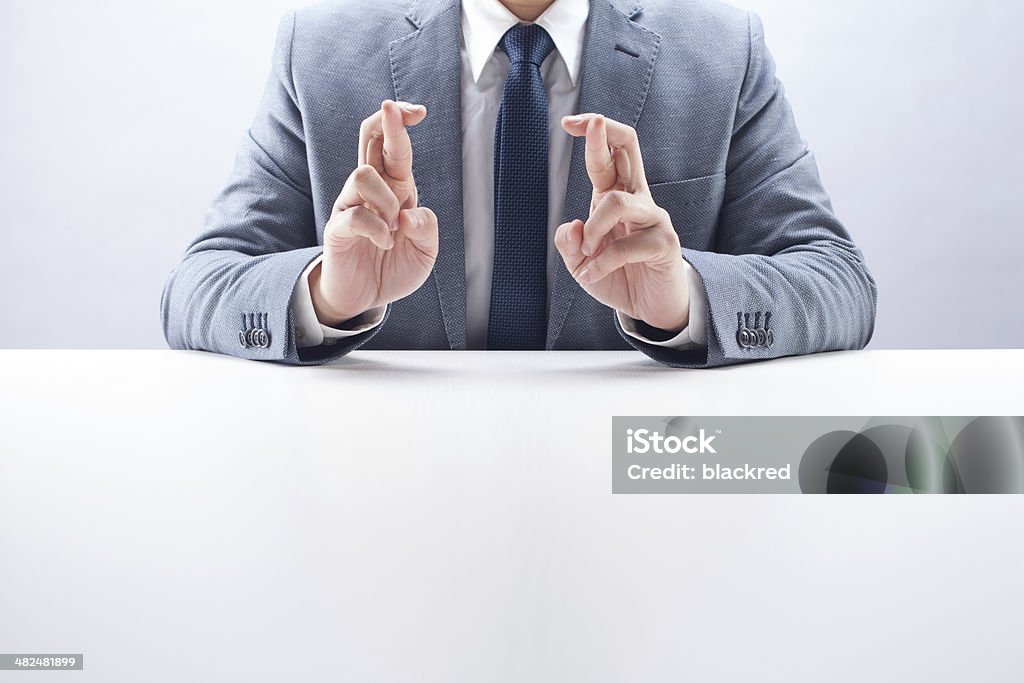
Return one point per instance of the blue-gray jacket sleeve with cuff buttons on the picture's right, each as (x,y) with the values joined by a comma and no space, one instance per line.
(786,278)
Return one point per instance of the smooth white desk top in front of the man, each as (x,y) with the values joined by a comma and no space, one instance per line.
(449,518)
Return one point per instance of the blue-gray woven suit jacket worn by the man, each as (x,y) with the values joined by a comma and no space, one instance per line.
(721,150)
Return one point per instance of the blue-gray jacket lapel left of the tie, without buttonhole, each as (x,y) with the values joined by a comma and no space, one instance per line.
(426,69)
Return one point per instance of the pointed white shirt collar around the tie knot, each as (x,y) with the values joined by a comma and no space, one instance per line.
(486,22)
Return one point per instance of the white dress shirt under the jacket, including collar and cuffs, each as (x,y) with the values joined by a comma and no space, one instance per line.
(484,72)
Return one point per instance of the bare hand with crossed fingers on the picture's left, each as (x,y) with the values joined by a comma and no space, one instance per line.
(378,245)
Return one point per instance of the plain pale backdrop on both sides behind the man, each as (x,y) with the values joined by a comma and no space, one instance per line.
(120,121)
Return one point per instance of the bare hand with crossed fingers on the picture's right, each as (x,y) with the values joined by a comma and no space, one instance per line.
(627,254)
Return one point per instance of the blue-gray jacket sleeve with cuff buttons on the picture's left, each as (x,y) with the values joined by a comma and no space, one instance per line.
(259,238)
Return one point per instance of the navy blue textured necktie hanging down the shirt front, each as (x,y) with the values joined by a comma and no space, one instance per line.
(520,283)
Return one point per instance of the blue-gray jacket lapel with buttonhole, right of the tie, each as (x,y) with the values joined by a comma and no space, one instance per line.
(618,61)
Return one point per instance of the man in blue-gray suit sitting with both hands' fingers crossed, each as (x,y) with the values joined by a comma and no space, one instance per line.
(565,175)
